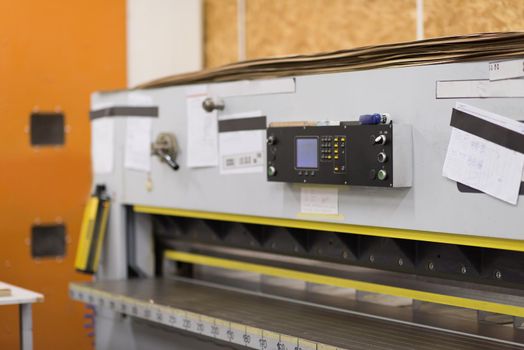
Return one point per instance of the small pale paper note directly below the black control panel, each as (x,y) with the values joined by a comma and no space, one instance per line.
(319,200)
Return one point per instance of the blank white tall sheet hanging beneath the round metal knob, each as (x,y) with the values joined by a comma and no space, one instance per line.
(202,134)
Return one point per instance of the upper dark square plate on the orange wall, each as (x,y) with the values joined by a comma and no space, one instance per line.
(47,129)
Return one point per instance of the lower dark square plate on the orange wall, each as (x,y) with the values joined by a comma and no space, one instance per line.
(48,241)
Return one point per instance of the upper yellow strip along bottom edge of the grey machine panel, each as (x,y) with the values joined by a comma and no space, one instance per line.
(427,236)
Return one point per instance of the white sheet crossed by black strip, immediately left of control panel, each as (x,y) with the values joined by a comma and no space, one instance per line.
(241,152)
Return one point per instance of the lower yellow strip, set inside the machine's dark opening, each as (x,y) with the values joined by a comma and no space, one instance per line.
(346,283)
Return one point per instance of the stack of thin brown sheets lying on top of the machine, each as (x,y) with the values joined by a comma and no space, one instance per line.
(475,47)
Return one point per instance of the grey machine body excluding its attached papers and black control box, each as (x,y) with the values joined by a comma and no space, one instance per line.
(191,259)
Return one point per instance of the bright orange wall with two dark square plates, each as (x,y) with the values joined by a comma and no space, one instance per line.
(53,54)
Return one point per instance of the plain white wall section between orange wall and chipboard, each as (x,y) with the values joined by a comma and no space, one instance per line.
(164,37)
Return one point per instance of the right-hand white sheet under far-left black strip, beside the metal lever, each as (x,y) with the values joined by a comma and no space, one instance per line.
(138,143)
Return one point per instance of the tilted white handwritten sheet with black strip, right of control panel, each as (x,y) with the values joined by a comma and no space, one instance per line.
(484,152)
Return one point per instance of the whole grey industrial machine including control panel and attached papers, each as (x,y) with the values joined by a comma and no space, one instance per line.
(278,213)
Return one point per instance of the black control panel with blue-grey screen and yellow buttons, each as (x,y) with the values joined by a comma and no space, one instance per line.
(357,162)
